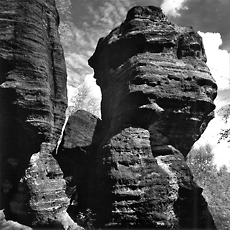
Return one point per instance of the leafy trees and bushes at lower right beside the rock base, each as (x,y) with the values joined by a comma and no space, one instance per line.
(216,184)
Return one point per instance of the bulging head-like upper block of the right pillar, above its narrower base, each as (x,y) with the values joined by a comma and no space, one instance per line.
(153,75)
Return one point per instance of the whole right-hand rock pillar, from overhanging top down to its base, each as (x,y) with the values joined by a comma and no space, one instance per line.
(157,99)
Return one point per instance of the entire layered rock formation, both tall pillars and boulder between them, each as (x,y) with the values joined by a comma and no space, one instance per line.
(128,168)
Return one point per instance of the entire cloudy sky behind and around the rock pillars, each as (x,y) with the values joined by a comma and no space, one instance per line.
(87,21)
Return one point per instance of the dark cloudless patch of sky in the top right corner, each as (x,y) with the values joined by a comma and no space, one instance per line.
(207,16)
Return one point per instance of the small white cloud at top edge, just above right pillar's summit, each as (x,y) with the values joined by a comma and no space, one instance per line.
(171,7)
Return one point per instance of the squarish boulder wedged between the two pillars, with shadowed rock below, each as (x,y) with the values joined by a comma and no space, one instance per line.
(76,155)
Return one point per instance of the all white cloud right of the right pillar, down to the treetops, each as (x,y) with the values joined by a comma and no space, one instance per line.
(218,63)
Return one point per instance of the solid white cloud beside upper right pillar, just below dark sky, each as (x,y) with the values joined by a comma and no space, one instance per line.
(217,59)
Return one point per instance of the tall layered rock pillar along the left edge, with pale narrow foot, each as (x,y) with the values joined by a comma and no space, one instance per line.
(33,101)
